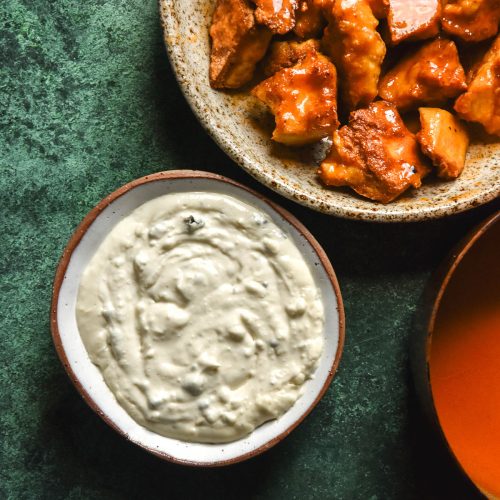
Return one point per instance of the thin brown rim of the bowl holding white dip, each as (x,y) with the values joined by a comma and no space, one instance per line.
(189,174)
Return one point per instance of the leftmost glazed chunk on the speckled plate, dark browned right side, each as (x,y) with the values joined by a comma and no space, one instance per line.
(238,44)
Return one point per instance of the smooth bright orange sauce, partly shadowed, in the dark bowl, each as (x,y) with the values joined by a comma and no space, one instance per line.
(465,363)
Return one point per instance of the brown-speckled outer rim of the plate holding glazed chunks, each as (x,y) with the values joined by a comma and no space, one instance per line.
(278,184)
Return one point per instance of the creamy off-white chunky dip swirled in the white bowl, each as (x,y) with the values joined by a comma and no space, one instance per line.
(202,316)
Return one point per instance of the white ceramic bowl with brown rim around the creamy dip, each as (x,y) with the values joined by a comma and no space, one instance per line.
(86,376)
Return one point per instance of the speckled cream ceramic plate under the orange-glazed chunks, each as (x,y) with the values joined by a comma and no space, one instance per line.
(242,129)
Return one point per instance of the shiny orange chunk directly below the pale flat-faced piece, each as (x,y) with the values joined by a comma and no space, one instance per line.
(432,74)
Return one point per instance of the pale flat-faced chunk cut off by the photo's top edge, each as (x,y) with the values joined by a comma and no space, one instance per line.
(410,20)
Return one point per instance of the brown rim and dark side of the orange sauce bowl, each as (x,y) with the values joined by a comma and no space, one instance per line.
(432,302)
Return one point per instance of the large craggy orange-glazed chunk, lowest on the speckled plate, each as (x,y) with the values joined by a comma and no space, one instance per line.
(375,154)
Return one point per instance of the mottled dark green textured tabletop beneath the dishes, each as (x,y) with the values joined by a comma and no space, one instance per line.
(88,102)
